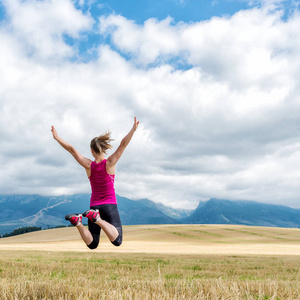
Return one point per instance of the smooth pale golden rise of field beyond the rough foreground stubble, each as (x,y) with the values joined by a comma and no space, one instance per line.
(173,239)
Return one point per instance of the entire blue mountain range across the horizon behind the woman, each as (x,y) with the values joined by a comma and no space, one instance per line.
(48,211)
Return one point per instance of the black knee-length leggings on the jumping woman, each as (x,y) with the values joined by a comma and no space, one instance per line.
(110,214)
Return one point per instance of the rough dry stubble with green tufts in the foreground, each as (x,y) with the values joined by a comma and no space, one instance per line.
(71,275)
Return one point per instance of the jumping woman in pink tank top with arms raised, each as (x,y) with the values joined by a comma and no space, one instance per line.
(103,212)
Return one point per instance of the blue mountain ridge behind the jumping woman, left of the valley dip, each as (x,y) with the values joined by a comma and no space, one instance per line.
(42,211)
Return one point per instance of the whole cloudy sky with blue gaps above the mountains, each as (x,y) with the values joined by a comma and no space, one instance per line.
(214,84)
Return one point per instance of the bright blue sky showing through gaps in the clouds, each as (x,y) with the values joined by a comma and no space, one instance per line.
(186,11)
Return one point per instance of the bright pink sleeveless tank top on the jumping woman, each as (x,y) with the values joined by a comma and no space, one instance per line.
(102,184)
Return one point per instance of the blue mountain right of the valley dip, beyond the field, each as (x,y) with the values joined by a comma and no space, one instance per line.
(216,211)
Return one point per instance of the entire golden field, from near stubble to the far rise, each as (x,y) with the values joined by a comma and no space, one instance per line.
(155,262)
